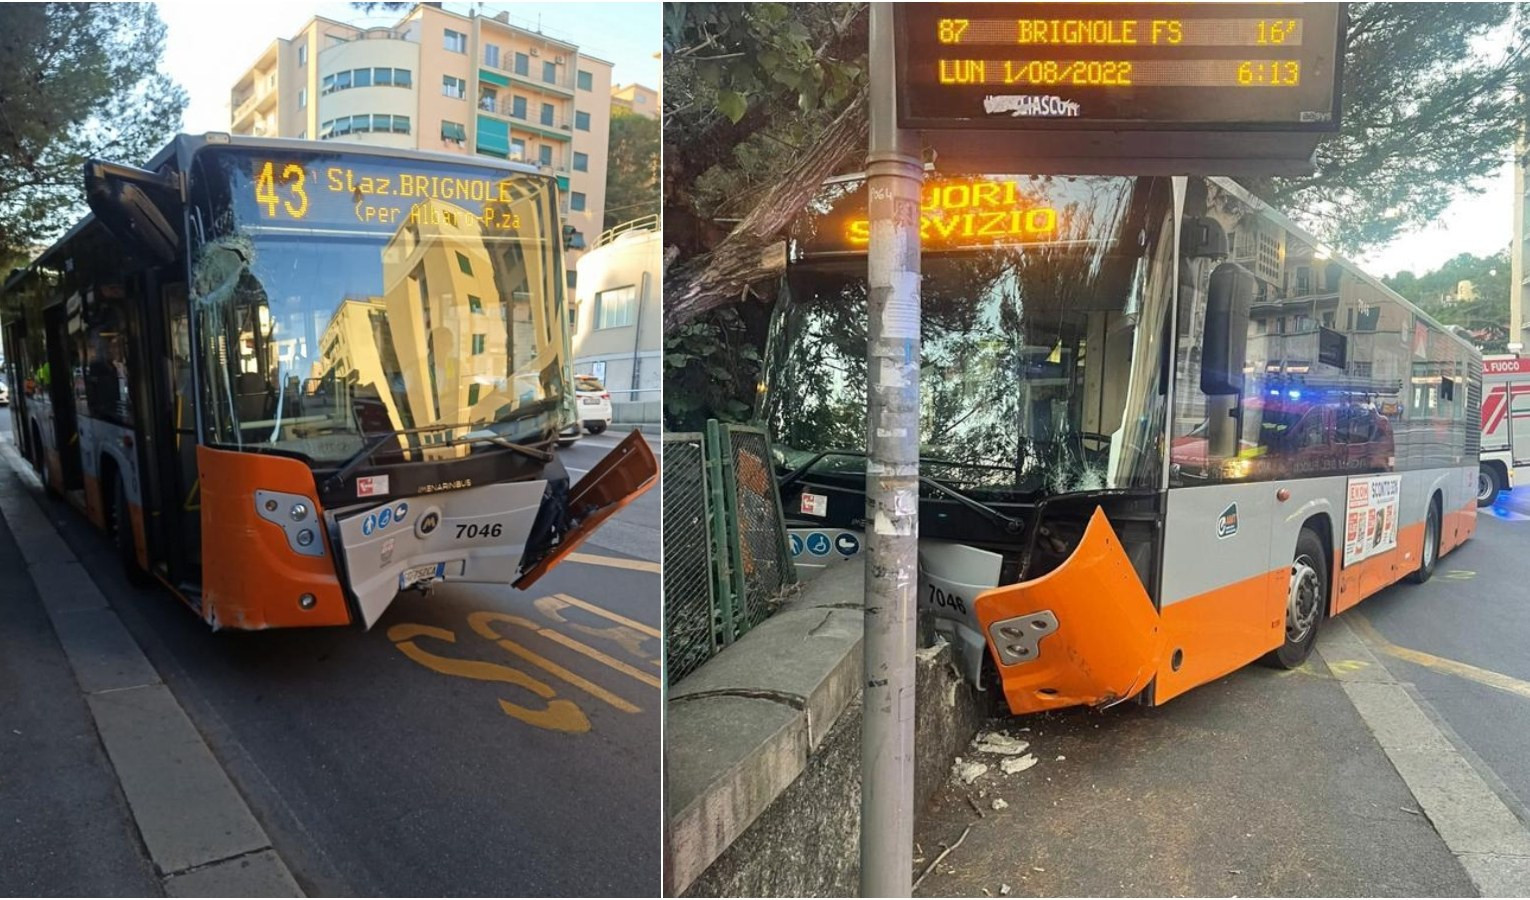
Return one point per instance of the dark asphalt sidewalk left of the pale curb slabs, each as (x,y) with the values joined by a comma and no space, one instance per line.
(68,829)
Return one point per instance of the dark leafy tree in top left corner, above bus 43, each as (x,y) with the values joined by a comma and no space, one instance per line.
(80,80)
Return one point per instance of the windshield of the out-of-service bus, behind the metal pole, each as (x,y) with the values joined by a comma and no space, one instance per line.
(1041,360)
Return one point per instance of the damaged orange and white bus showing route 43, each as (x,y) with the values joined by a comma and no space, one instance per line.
(296,379)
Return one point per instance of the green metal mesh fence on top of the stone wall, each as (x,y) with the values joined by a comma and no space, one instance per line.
(726,556)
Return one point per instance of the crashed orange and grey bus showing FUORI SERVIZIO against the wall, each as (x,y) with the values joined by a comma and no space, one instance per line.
(1165,432)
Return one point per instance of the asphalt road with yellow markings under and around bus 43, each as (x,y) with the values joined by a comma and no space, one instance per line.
(475,742)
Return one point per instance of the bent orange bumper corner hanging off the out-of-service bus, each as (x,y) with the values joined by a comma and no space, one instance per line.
(1084,634)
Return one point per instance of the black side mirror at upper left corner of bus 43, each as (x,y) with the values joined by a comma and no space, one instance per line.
(137,206)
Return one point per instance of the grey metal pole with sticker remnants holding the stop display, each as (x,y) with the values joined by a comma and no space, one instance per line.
(893,471)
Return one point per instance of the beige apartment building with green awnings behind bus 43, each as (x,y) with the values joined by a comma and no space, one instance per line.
(440,80)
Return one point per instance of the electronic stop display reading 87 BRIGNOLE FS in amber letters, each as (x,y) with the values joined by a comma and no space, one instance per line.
(1119,65)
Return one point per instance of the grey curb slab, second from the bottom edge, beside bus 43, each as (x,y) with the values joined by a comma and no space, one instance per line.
(184,804)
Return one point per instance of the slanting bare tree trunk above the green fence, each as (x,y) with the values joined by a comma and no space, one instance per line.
(720,276)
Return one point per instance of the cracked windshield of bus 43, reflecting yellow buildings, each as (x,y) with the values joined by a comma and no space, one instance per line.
(345,298)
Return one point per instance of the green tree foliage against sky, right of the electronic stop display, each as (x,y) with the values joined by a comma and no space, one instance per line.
(1430,109)
